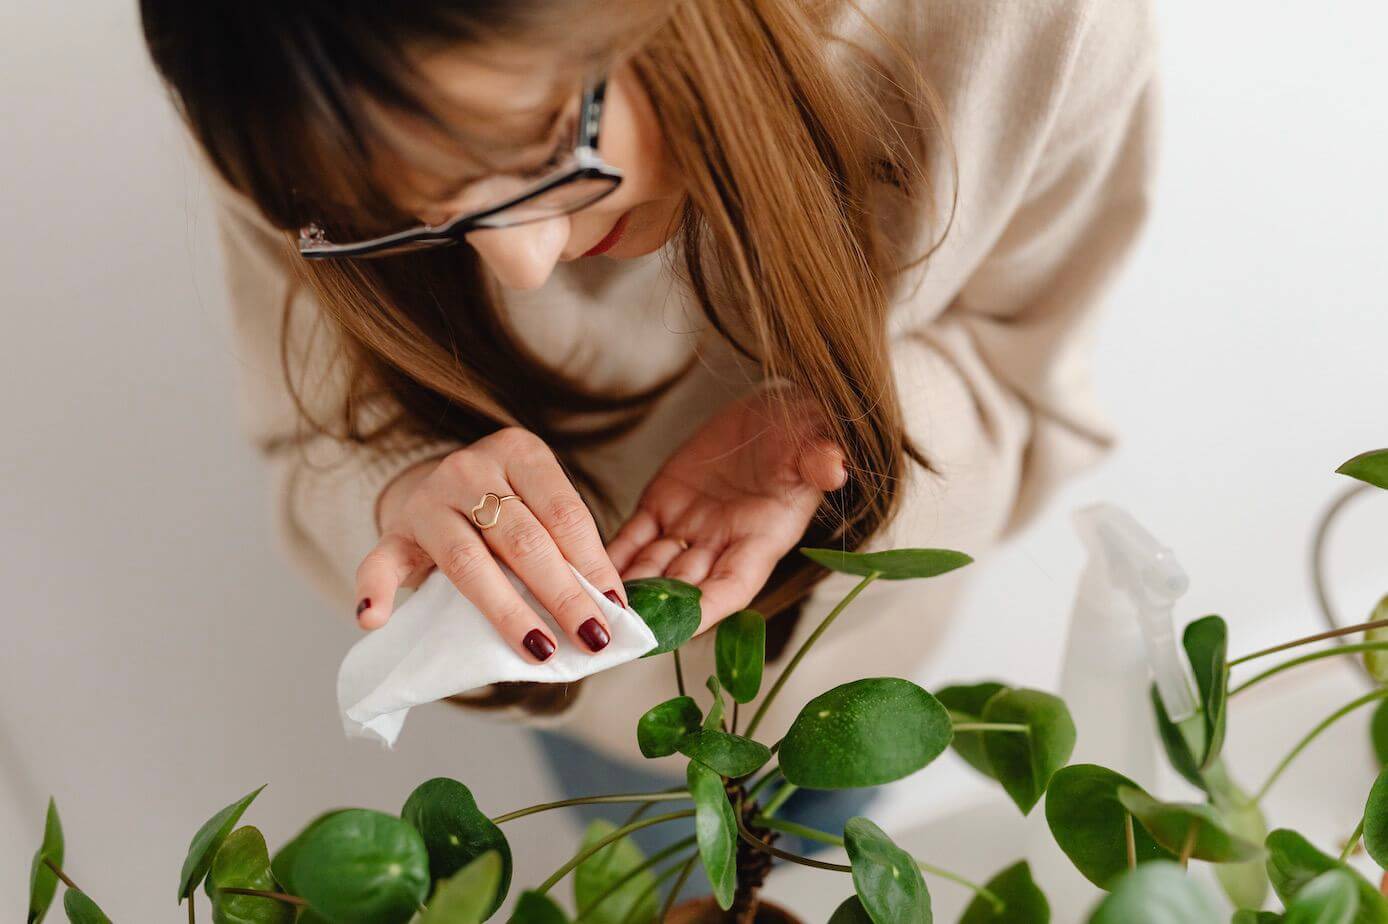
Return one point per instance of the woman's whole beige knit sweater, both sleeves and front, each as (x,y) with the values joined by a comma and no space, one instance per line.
(1053,108)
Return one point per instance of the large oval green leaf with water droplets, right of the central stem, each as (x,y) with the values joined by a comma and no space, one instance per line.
(865,733)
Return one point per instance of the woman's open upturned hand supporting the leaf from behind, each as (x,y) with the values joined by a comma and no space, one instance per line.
(732,502)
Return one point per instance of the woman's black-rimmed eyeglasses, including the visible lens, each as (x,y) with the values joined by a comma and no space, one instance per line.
(579,181)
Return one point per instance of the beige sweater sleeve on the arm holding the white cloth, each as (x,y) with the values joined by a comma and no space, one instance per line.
(324,490)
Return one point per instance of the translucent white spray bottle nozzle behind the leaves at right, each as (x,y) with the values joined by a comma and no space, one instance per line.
(1147,578)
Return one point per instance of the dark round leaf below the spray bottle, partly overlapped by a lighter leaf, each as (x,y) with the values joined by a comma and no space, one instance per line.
(1089,823)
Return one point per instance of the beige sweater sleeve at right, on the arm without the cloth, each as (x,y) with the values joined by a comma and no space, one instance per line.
(997,388)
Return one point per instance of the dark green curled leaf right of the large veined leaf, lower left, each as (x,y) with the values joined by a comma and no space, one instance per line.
(456,832)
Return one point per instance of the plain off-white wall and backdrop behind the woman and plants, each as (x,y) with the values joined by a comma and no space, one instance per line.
(159,658)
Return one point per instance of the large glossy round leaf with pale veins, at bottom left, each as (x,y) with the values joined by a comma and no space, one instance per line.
(363,868)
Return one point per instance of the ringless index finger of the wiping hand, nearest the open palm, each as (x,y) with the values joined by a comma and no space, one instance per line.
(570,524)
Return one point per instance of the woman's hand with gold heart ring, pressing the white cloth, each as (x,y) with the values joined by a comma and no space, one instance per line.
(427,525)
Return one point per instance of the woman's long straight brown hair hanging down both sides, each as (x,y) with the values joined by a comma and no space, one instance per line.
(793,144)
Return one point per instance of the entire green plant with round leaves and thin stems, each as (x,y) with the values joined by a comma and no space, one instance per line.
(446,862)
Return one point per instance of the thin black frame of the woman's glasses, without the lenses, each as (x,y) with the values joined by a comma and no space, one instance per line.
(585,164)
